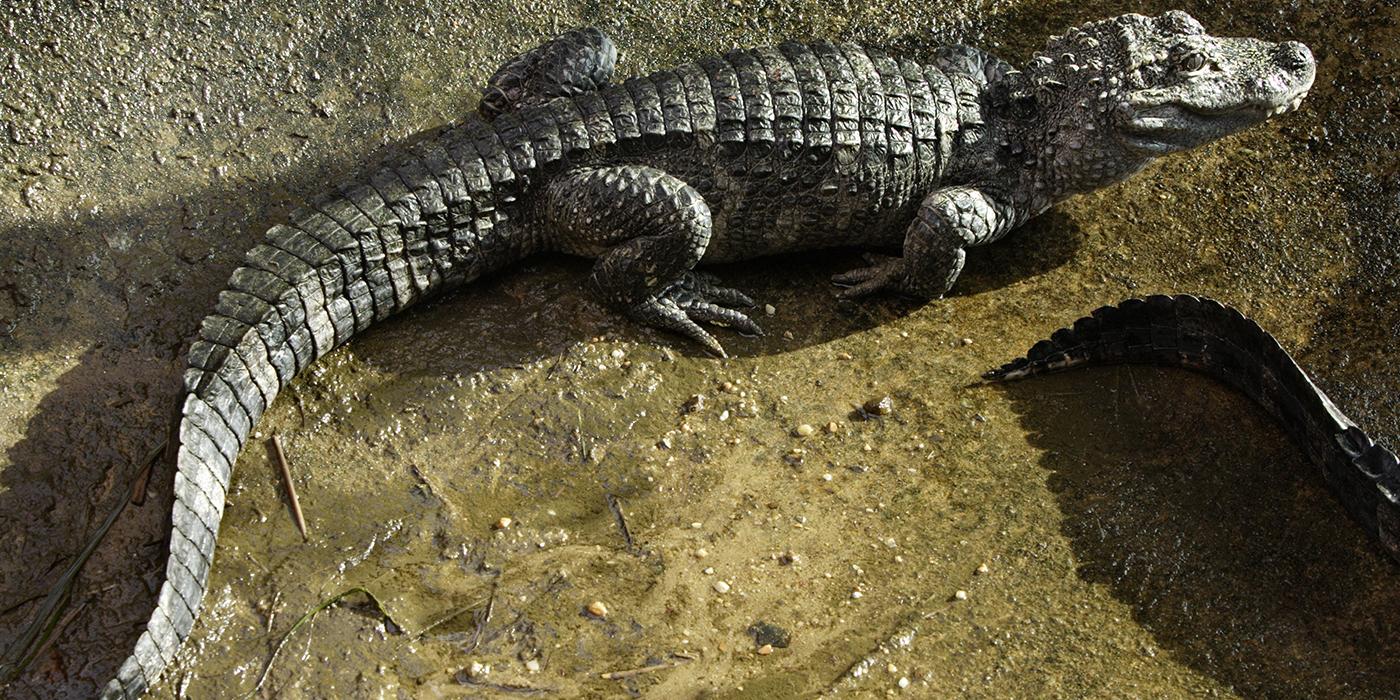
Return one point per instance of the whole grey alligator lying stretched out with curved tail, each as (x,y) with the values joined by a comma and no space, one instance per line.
(737,156)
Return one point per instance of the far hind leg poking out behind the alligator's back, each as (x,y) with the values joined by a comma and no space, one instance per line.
(575,62)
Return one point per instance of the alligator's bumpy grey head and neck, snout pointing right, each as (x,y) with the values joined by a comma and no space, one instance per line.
(1118,93)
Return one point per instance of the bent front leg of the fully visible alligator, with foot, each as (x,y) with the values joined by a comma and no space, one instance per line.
(948,222)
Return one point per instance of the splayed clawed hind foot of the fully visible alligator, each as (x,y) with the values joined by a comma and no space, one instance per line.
(698,297)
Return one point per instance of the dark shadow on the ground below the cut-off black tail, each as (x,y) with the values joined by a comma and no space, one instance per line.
(1230,552)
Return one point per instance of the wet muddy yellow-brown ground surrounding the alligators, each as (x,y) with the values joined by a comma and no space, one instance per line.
(1144,533)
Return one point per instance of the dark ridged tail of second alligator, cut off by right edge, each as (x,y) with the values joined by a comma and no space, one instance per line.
(1217,341)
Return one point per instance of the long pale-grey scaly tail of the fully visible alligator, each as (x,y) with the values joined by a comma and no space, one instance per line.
(332,271)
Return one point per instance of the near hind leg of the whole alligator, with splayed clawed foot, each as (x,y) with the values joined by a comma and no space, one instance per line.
(647,232)
